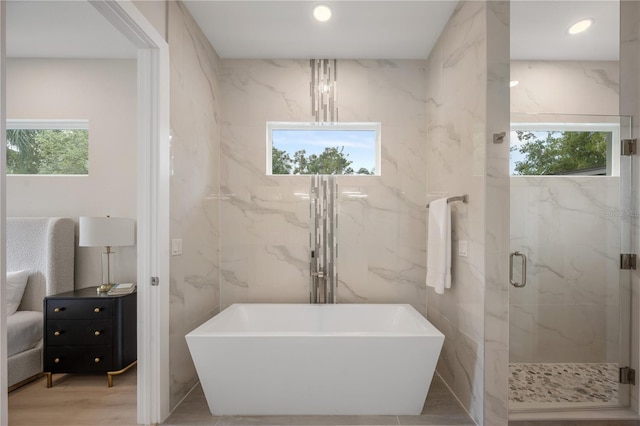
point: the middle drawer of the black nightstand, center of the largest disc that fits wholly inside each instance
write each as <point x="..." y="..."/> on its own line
<point x="79" y="332"/>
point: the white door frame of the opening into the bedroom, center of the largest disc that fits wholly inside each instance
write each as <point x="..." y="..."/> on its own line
<point x="153" y="163"/>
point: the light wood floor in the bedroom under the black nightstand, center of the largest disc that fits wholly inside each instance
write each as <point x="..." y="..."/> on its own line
<point x="75" y="400"/>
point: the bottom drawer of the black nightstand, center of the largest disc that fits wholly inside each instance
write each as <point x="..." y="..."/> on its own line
<point x="68" y="359"/>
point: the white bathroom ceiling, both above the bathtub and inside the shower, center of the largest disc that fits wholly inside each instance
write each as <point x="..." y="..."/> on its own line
<point x="397" y="29"/>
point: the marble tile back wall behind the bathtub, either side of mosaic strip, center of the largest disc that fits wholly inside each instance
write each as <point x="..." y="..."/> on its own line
<point x="265" y="238"/>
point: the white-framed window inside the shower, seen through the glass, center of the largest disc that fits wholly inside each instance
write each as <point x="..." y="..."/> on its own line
<point x="565" y="149"/>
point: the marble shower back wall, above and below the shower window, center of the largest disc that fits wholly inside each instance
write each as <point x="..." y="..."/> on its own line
<point x="569" y="310"/>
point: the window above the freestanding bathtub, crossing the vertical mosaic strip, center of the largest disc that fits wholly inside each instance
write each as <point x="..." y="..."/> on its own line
<point x="323" y="148"/>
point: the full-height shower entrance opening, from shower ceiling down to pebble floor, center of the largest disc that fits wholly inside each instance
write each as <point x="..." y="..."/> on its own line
<point x="570" y="301"/>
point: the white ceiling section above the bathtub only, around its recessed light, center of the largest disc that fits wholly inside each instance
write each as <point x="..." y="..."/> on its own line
<point x="357" y="30"/>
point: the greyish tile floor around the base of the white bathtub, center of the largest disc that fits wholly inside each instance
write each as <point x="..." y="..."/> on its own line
<point x="441" y="408"/>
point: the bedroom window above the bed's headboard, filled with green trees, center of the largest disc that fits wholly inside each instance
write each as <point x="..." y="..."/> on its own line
<point x="47" y="147"/>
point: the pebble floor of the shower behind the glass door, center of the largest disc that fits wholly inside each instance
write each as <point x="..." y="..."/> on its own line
<point x="563" y="383"/>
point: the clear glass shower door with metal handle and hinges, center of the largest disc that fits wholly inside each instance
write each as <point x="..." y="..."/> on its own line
<point x="570" y="219"/>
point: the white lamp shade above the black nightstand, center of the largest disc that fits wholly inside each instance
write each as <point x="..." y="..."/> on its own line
<point x="106" y="231"/>
